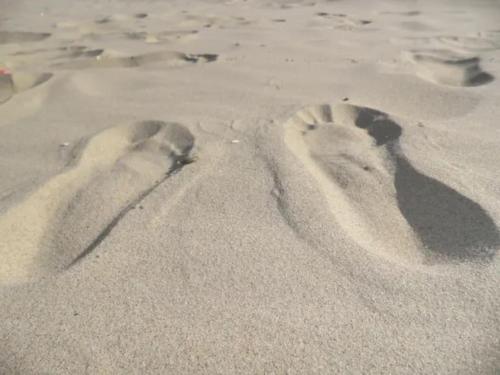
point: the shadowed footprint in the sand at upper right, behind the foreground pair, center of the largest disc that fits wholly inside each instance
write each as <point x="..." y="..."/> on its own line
<point x="447" y="68"/>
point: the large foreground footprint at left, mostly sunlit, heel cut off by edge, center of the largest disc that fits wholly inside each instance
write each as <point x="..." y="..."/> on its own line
<point x="71" y="214"/>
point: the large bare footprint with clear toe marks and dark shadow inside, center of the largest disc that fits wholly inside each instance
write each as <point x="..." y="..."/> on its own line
<point x="378" y="197"/>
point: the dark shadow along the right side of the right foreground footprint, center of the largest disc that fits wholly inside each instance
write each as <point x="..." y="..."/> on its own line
<point x="450" y="225"/>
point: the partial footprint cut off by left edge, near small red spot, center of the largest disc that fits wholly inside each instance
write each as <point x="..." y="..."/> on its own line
<point x="13" y="83"/>
